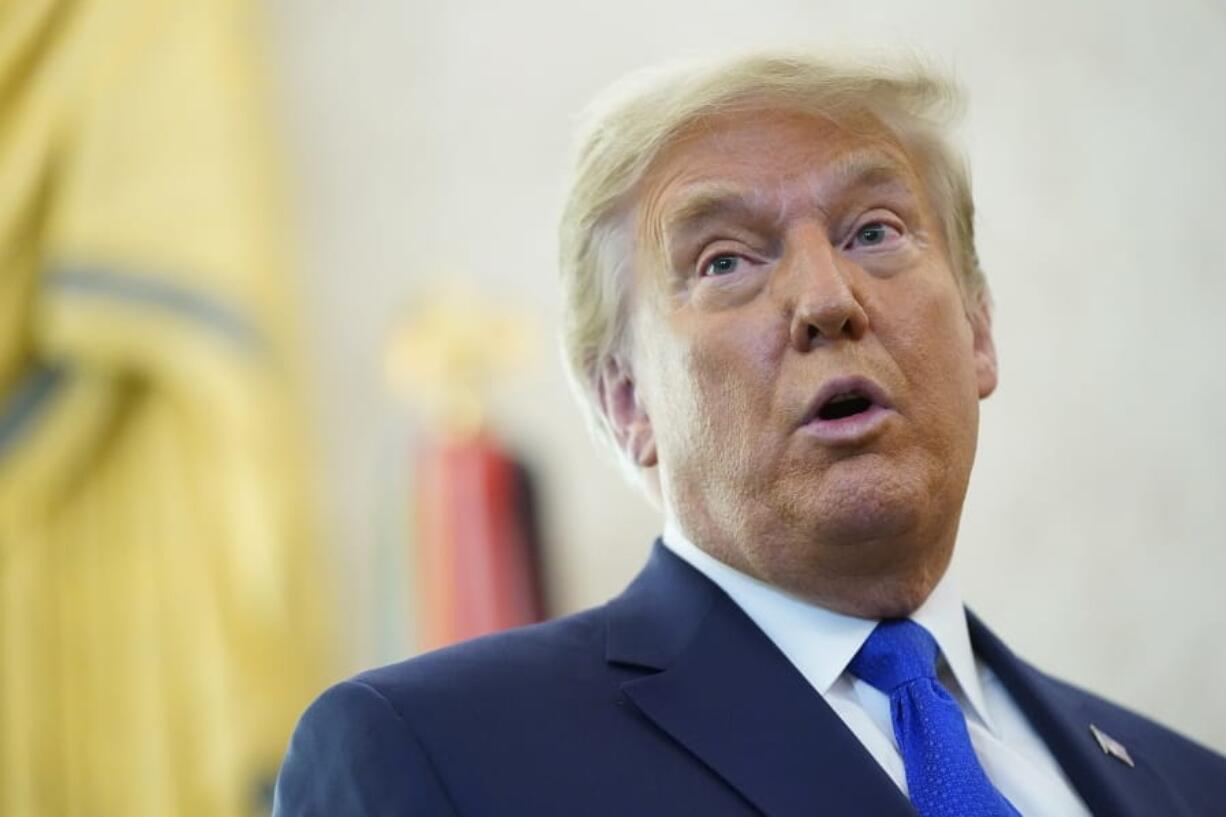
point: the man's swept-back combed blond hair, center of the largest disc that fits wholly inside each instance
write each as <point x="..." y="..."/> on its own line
<point x="626" y="128"/>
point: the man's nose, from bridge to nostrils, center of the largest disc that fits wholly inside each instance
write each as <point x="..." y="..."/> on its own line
<point x="827" y="309"/>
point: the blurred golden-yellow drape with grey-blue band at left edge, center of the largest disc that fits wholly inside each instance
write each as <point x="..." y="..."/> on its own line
<point x="159" y="613"/>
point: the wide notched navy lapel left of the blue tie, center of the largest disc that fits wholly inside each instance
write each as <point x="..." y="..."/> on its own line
<point x="733" y="700"/>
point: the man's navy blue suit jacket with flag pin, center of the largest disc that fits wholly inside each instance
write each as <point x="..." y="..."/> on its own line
<point x="670" y="701"/>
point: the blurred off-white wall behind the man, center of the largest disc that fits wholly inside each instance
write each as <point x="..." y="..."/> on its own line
<point x="430" y="142"/>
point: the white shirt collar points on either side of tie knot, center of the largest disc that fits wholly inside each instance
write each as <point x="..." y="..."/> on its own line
<point x="821" y="643"/>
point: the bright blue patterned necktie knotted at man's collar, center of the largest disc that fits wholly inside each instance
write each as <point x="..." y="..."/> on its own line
<point x="943" y="775"/>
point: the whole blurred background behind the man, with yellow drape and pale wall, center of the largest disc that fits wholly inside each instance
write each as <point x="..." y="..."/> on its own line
<point x="280" y="397"/>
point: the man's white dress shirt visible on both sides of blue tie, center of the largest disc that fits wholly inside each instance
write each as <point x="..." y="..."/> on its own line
<point x="822" y="643"/>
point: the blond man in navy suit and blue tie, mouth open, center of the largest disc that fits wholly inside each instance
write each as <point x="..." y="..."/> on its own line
<point x="777" y="316"/>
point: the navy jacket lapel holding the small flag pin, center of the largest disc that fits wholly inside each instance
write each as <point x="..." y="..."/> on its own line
<point x="1062" y="717"/>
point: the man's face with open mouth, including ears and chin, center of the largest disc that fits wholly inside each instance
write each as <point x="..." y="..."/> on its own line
<point x="804" y="367"/>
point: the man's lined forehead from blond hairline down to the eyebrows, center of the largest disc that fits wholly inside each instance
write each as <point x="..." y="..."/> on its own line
<point x="775" y="160"/>
